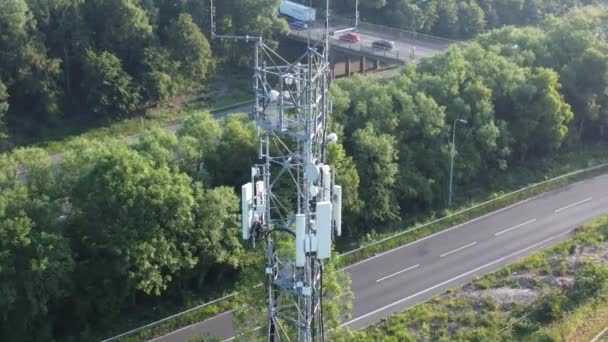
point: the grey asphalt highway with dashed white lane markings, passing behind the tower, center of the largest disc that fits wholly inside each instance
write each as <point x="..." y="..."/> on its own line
<point x="397" y="279"/>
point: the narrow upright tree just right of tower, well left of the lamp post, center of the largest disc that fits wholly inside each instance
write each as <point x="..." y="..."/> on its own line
<point x="376" y="160"/>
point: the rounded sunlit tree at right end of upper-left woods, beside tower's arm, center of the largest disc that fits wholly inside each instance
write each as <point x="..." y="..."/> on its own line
<point x="190" y="48"/>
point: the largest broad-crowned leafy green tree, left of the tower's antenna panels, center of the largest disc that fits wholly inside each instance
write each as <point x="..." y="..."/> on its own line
<point x="131" y="227"/>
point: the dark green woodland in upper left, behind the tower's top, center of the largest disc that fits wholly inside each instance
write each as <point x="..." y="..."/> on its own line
<point x="102" y="60"/>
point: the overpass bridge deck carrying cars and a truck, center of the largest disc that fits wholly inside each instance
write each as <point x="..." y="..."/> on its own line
<point x="409" y="47"/>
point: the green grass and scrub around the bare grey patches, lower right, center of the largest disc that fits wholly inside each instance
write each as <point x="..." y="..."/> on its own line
<point x="559" y="314"/>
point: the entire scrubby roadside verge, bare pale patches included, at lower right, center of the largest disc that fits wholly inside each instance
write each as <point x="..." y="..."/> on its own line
<point x="565" y="283"/>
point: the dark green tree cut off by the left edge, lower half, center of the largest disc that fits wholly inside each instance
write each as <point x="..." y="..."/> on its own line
<point x="35" y="259"/>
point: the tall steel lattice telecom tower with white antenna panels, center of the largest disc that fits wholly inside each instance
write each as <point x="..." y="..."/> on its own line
<point x="291" y="111"/>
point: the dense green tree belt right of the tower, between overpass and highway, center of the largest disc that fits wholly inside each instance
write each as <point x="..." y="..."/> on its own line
<point x="525" y="94"/>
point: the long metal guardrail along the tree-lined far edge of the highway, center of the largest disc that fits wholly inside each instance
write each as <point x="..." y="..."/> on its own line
<point x="376" y="243"/>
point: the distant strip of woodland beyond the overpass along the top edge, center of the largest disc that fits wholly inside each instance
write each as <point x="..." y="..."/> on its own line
<point x="452" y="18"/>
